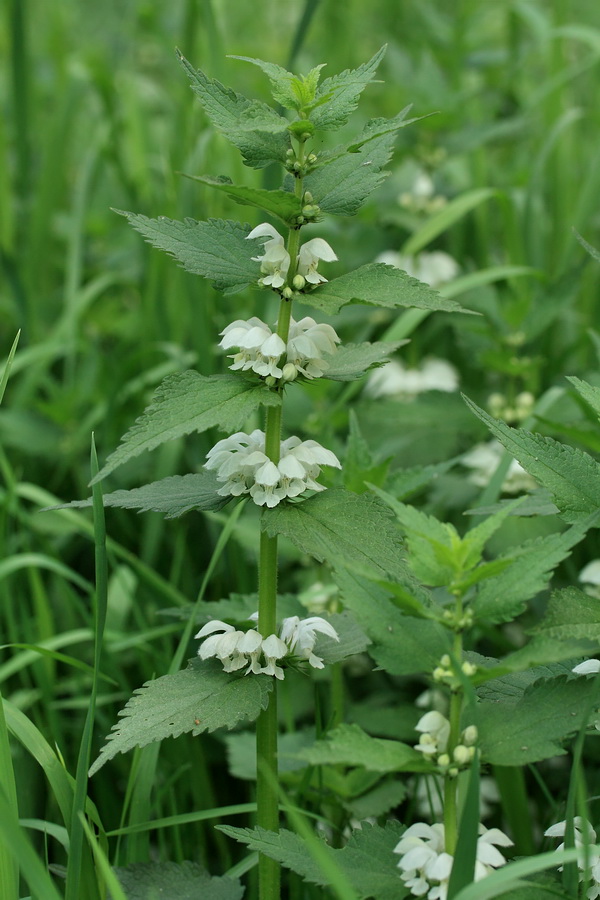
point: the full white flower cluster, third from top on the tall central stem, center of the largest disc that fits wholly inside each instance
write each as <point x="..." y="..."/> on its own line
<point x="241" y="463"/>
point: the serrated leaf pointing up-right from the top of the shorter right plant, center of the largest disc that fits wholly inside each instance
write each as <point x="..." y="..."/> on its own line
<point x="503" y="596"/>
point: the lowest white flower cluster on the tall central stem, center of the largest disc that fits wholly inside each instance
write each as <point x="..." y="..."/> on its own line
<point x="236" y="649"/>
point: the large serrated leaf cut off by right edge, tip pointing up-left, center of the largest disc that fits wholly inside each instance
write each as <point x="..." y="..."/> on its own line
<point x="571" y="476"/>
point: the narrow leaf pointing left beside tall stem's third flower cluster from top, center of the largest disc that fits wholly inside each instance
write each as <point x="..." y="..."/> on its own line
<point x="172" y="496"/>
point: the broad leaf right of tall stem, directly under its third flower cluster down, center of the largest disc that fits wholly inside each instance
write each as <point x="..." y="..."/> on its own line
<point x="341" y="528"/>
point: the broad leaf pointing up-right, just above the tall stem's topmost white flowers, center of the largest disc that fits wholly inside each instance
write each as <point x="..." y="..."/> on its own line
<point x="342" y="186"/>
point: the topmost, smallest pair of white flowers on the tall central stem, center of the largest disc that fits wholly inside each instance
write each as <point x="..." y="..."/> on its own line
<point x="276" y="261"/>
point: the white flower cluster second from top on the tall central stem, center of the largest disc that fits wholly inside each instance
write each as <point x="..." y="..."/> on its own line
<point x="260" y="350"/>
